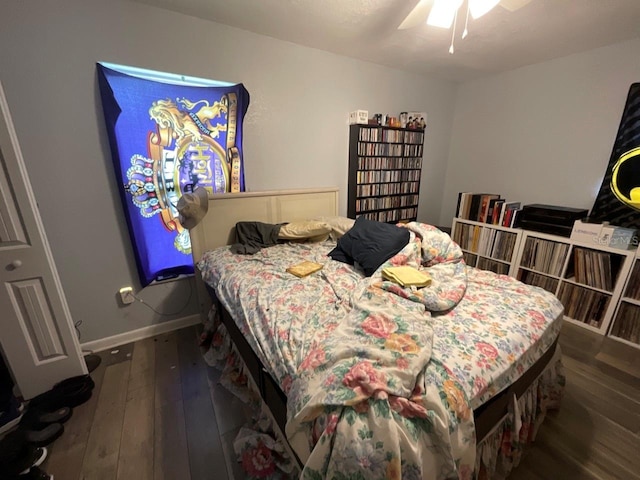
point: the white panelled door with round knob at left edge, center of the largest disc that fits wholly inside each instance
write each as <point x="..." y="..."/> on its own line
<point x="36" y="330"/>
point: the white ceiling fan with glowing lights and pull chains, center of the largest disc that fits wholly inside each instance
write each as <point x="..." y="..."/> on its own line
<point x="444" y="13"/>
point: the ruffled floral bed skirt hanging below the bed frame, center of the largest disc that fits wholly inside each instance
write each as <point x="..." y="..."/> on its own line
<point x="264" y="453"/>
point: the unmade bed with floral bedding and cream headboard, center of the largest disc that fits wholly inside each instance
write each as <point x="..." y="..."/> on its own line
<point x="364" y="381"/>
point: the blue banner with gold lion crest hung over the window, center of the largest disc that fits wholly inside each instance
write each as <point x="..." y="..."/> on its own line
<point x="168" y="136"/>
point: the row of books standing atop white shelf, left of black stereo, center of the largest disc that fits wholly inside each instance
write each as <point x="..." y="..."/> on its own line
<point x="487" y="208"/>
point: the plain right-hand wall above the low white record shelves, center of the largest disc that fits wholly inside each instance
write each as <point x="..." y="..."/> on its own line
<point x="542" y="133"/>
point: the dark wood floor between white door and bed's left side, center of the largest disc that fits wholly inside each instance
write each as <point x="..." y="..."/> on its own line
<point x="152" y="416"/>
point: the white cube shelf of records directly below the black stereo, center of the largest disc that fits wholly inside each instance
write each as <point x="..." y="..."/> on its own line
<point x="587" y="278"/>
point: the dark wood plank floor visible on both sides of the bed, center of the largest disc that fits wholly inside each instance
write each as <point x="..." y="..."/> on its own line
<point x="158" y="413"/>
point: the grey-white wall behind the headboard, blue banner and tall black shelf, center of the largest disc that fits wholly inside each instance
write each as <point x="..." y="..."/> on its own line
<point x="295" y="132"/>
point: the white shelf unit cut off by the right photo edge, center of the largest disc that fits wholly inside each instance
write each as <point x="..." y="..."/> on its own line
<point x="626" y="324"/>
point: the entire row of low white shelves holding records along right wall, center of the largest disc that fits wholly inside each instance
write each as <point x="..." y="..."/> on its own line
<point x="595" y="283"/>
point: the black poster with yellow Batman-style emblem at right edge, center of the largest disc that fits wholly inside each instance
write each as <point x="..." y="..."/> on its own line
<point x="618" y="201"/>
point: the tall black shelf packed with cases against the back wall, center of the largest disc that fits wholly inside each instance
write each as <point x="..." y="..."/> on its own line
<point x="385" y="166"/>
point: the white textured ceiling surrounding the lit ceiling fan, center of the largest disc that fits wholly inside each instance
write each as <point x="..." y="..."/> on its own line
<point x="367" y="29"/>
